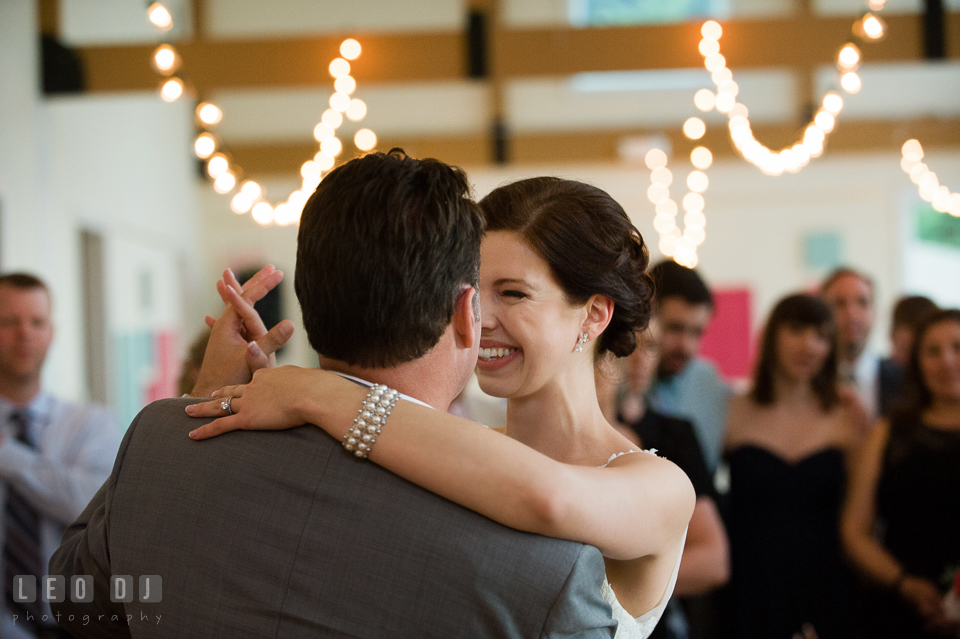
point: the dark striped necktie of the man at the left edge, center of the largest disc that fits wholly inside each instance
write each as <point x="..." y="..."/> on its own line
<point x="21" y="521"/>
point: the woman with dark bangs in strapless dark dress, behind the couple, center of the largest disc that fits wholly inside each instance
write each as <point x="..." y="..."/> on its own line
<point x="788" y="441"/>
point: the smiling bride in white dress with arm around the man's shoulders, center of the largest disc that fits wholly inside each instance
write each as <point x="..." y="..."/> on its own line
<point x="562" y="283"/>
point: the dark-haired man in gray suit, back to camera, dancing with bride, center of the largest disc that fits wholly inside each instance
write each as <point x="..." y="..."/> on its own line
<point x="285" y="534"/>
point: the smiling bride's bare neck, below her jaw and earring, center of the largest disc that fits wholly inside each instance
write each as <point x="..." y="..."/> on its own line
<point x="558" y="418"/>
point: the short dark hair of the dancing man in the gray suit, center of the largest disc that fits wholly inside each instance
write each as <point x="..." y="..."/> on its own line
<point x="386" y="244"/>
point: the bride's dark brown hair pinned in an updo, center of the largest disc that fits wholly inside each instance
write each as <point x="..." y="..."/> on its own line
<point x="589" y="243"/>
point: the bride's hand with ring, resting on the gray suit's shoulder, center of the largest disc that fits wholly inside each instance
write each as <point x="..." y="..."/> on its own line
<point x="271" y="401"/>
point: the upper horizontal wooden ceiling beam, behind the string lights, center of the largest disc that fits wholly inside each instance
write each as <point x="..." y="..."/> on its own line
<point x="800" y="41"/>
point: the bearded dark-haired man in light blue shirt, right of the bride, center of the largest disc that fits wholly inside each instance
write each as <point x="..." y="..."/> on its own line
<point x="687" y="386"/>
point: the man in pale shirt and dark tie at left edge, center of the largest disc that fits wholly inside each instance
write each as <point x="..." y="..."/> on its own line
<point x="53" y="455"/>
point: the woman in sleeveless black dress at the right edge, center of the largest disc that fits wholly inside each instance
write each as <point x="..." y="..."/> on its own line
<point x="901" y="525"/>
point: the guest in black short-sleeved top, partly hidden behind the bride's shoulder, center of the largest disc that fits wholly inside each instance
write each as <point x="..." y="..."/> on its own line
<point x="706" y="554"/>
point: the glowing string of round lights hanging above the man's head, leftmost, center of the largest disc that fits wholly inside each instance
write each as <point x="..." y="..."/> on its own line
<point x="248" y="195"/>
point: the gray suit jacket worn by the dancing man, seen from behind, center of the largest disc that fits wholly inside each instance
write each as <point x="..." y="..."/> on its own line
<point x="285" y="534"/>
